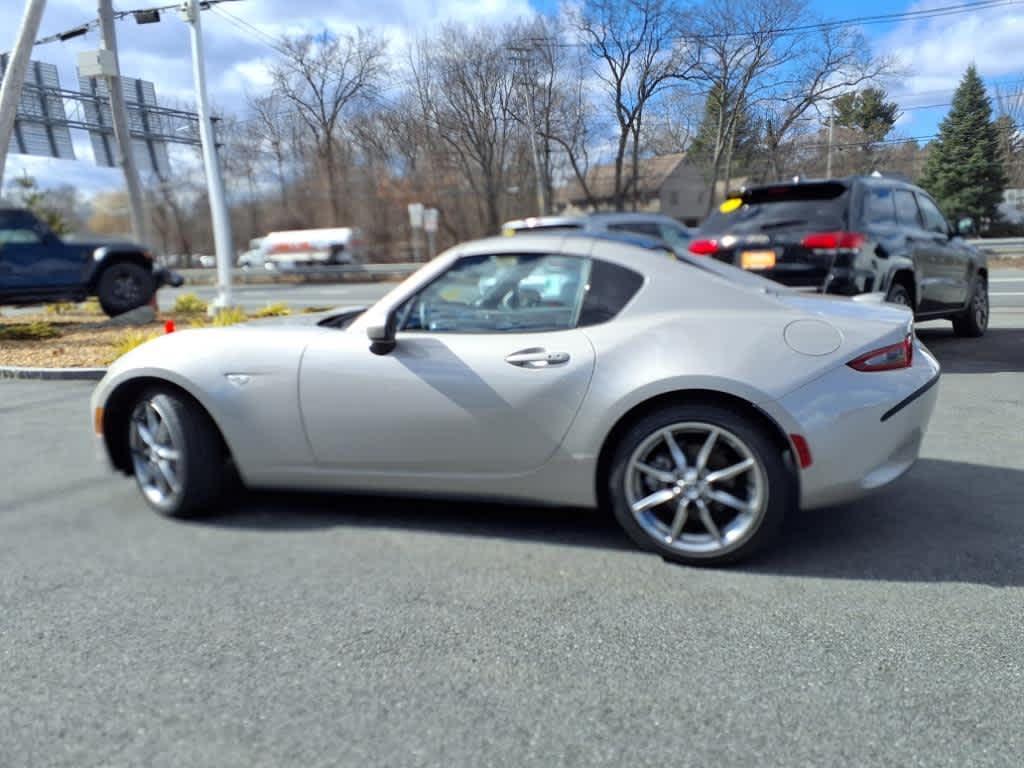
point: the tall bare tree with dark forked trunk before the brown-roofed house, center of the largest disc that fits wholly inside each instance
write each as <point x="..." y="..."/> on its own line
<point x="637" y="53"/>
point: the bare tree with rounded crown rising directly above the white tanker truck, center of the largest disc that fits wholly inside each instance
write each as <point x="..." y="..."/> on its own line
<point x="323" y="76"/>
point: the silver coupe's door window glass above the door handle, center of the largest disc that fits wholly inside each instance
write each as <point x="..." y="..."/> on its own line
<point x="511" y="293"/>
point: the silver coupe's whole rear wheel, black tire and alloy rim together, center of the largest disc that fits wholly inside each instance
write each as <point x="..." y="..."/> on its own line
<point x="700" y="485"/>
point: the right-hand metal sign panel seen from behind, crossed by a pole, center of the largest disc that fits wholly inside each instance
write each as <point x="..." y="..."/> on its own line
<point x="150" y="126"/>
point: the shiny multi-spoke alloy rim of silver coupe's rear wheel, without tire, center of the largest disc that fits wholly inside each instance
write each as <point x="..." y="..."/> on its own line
<point x="697" y="488"/>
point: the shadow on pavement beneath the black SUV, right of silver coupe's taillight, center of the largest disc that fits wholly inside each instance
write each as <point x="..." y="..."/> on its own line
<point x="1001" y="350"/>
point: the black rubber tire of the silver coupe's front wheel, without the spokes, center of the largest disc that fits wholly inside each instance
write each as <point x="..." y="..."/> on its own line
<point x="203" y="472"/>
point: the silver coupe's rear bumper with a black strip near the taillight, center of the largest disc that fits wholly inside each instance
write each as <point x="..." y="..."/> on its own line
<point x="865" y="430"/>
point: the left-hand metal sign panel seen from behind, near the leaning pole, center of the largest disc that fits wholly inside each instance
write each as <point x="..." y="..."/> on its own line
<point x="41" y="122"/>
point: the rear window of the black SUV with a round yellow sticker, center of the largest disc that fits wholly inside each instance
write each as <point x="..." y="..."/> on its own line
<point x="812" y="206"/>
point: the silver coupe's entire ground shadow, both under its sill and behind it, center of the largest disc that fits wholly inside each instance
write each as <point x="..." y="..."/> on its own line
<point x="946" y="522"/>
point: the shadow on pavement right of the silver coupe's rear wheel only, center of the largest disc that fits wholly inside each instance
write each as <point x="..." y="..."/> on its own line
<point x="945" y="522"/>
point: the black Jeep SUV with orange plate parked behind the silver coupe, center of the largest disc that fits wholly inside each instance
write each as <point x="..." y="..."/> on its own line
<point x="855" y="236"/>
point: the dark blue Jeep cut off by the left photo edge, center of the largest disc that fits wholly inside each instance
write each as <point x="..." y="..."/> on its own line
<point x="36" y="266"/>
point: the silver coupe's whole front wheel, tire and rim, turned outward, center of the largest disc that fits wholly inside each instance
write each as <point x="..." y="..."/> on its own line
<point x="177" y="454"/>
